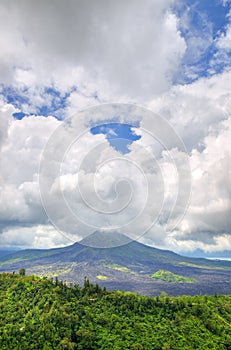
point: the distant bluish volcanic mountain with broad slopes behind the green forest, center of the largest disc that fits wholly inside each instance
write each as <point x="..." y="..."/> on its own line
<point x="127" y="266"/>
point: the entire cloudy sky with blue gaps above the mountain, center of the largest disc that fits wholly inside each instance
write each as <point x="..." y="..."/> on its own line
<point x="116" y="115"/>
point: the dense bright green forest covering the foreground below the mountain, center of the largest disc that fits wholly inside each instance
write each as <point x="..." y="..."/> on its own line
<point x="37" y="313"/>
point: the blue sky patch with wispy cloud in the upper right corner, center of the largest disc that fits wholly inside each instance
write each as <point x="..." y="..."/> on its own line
<point x="206" y="20"/>
